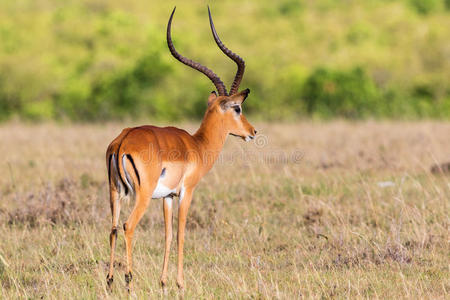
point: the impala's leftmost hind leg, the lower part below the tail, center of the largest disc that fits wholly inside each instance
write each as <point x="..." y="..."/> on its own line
<point x="115" y="212"/>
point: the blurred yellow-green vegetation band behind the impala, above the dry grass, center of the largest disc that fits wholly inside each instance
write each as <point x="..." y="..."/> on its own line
<point x="95" y="60"/>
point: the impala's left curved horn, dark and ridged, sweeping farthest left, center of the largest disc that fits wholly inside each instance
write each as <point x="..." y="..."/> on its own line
<point x="195" y="65"/>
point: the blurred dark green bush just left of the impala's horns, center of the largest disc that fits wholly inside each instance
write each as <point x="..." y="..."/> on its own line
<point x="121" y="94"/>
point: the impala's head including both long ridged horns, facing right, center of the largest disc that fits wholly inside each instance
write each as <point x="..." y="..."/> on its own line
<point x="224" y="107"/>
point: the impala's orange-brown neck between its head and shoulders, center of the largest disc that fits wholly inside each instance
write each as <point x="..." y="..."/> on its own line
<point x="211" y="137"/>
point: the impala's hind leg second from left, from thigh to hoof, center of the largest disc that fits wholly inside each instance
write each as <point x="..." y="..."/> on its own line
<point x="141" y="203"/>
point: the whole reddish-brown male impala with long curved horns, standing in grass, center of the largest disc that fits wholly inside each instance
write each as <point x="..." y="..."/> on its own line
<point x="149" y="162"/>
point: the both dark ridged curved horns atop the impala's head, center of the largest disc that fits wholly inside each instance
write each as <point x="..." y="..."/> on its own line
<point x="220" y="86"/>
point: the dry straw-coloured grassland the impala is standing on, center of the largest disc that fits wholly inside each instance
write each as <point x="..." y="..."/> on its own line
<point x="313" y="210"/>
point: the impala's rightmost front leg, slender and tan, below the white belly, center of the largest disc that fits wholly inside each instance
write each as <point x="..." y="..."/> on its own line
<point x="185" y="202"/>
